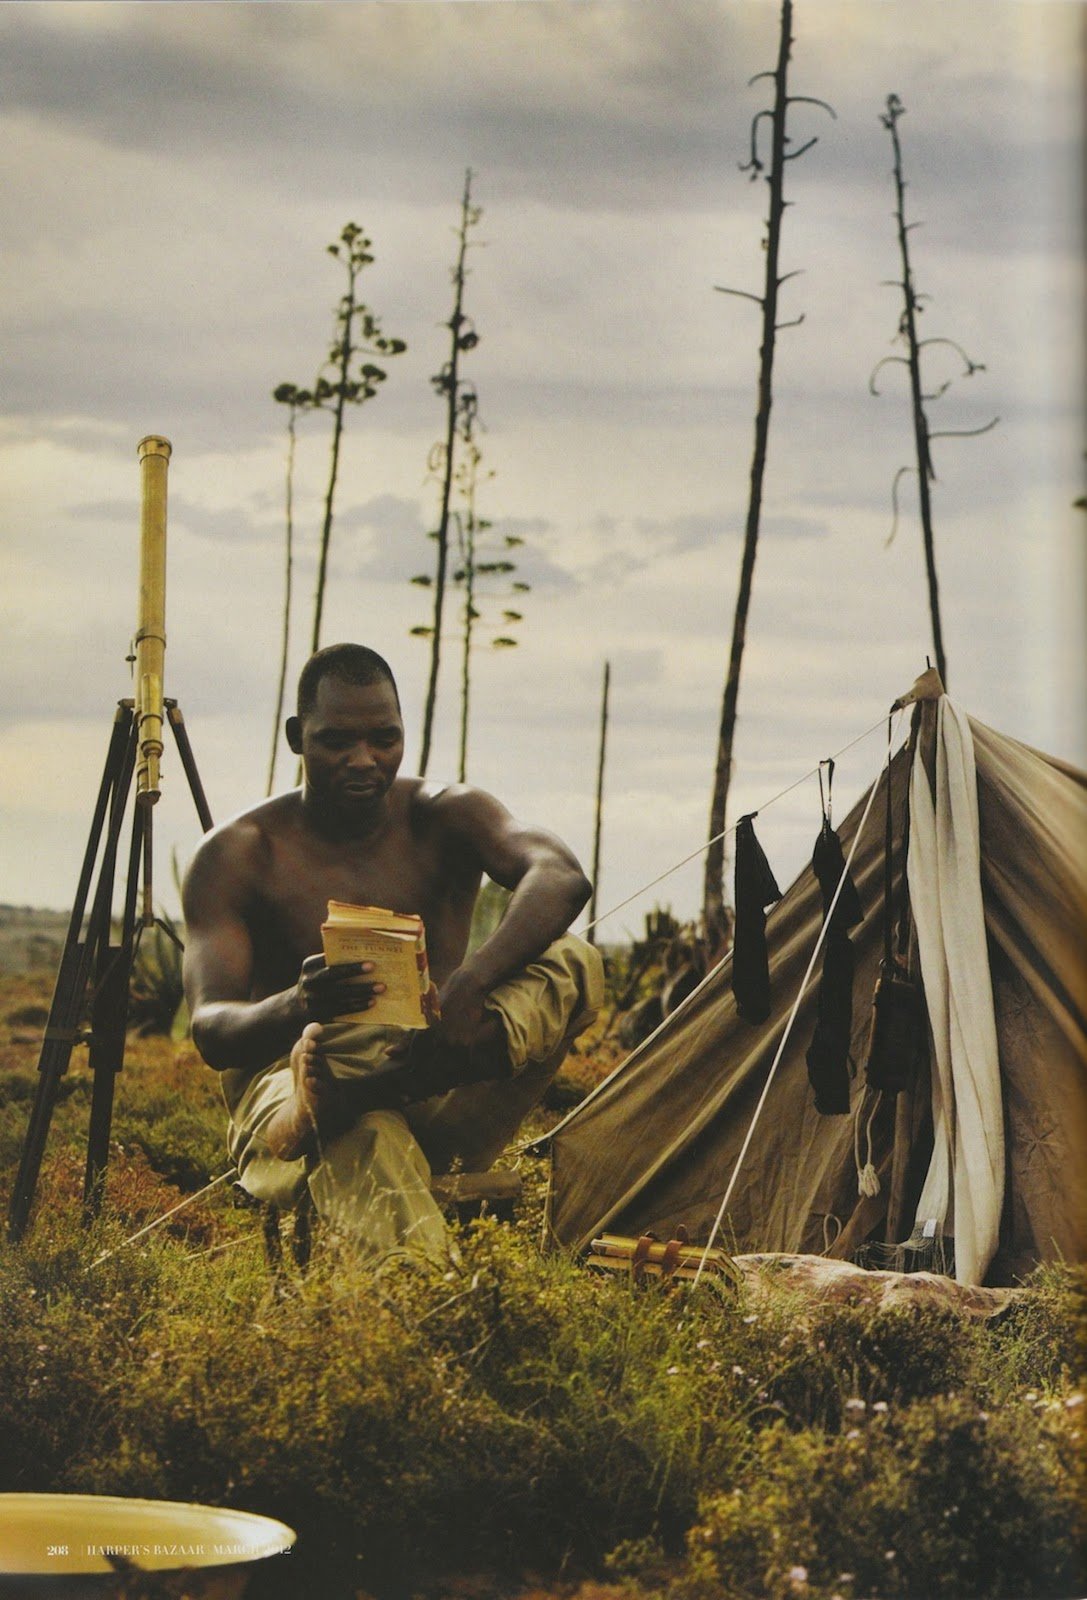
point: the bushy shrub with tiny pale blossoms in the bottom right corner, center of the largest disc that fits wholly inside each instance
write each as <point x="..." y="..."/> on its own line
<point x="934" y="1500"/>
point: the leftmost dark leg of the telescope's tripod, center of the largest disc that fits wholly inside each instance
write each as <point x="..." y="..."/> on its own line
<point x="76" y="962"/>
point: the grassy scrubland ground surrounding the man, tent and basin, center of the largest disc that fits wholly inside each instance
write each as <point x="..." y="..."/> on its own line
<point x="511" y="1426"/>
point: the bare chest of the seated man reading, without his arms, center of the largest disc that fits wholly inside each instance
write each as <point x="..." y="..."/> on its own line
<point x="412" y="863"/>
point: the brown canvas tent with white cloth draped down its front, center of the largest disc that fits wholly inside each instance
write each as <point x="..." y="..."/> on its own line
<point x="657" y="1145"/>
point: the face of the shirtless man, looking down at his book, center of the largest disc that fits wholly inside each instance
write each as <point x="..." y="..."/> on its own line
<point x="351" y="745"/>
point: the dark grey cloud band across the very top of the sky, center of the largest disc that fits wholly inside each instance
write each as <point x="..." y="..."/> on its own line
<point x="606" y="106"/>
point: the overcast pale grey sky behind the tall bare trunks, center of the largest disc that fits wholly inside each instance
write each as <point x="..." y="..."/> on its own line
<point x="172" y="177"/>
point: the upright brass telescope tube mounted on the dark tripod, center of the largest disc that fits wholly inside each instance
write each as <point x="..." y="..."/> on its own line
<point x="151" y="628"/>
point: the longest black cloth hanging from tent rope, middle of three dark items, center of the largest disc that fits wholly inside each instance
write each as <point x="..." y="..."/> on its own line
<point x="828" y="1052"/>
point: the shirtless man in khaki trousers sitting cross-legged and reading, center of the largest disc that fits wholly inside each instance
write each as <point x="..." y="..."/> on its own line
<point x="263" y="1001"/>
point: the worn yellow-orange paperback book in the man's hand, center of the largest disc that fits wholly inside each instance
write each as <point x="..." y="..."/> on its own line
<point x="396" y="945"/>
